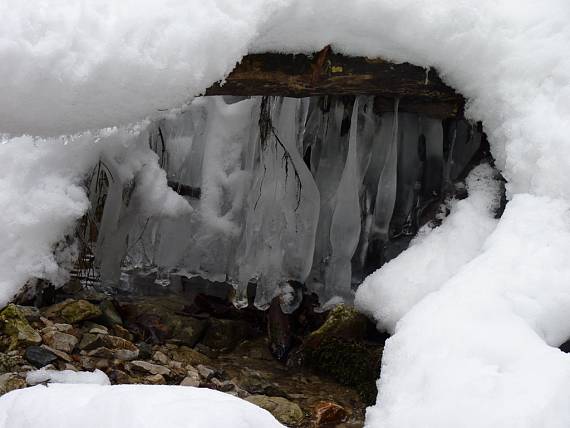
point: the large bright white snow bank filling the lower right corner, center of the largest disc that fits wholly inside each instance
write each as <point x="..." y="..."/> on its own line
<point x="478" y="353"/>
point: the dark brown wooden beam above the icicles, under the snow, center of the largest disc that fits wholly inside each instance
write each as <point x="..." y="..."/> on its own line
<point x="329" y="73"/>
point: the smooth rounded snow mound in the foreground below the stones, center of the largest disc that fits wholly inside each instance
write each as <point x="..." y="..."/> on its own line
<point x="128" y="406"/>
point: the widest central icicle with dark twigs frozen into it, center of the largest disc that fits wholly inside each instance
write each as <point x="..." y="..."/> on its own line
<point x="282" y="209"/>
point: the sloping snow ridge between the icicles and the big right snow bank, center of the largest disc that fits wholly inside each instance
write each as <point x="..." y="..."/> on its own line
<point x="434" y="255"/>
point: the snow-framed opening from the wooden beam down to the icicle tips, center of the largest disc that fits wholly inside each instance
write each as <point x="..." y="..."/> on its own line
<point x="305" y="173"/>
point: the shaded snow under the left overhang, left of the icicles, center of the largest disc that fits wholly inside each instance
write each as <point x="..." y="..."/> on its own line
<point x="42" y="196"/>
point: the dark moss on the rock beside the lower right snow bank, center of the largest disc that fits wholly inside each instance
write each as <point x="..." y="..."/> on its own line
<point x="349" y="363"/>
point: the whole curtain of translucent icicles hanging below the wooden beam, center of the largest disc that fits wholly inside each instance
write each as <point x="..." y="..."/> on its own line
<point x="288" y="195"/>
